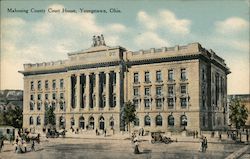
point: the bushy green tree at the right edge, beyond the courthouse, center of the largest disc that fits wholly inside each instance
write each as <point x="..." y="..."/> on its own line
<point x="238" y="113"/>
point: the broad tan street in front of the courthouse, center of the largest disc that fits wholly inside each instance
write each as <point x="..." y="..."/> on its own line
<point x="59" y="148"/>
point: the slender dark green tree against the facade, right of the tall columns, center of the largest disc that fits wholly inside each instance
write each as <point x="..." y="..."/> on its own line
<point x="129" y="114"/>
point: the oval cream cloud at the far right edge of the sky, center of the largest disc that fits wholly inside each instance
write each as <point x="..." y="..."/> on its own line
<point x="232" y="25"/>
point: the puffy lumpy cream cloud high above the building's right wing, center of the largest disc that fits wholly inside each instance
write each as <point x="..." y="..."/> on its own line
<point x="165" y="19"/>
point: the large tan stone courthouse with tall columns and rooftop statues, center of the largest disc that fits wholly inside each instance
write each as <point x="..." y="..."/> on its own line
<point x="172" y="88"/>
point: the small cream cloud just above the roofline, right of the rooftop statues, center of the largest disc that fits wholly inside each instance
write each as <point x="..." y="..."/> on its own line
<point x="150" y="39"/>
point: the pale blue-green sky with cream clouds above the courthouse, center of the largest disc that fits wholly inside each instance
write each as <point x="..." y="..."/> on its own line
<point x="36" y="37"/>
